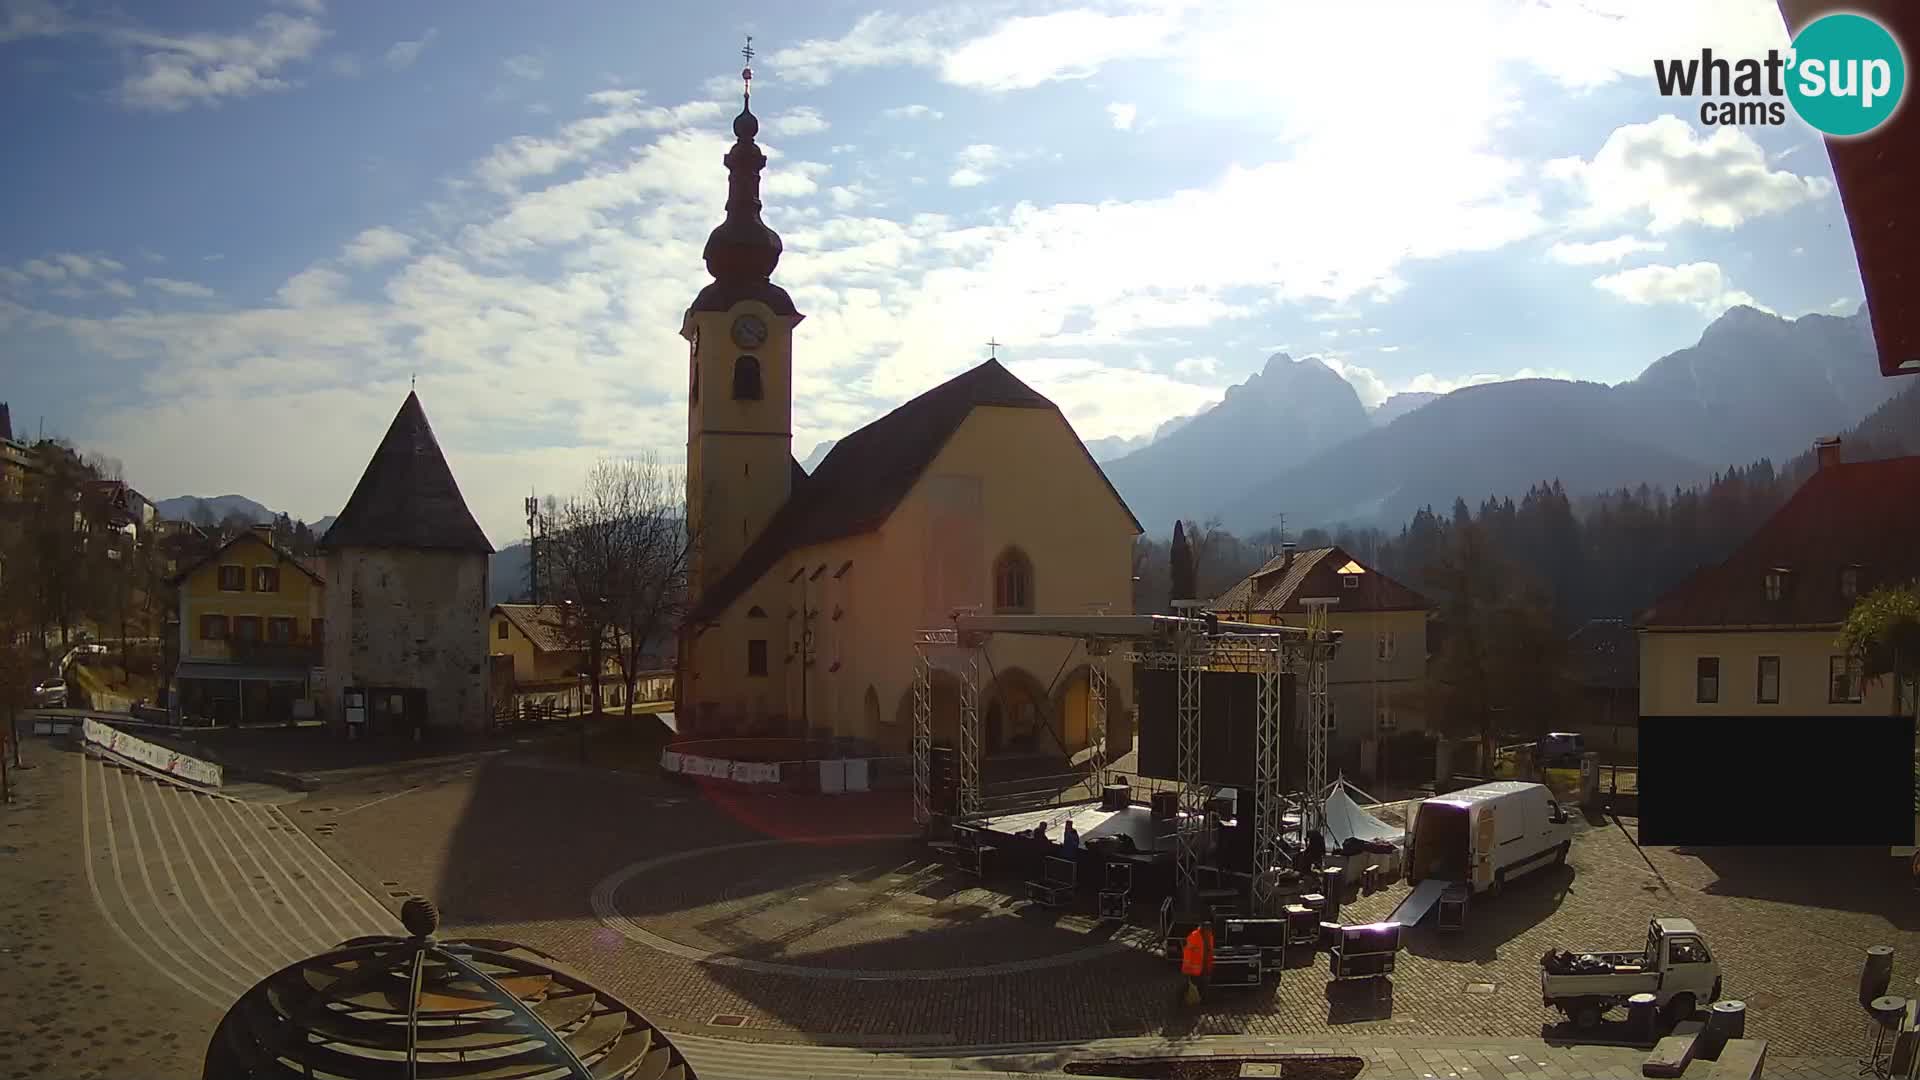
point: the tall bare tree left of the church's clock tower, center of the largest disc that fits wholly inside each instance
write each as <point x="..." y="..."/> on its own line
<point x="617" y="564"/>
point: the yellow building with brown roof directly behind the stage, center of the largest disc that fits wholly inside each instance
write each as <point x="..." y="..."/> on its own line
<point x="1378" y="679"/>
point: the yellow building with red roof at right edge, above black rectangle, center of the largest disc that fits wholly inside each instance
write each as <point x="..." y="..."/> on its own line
<point x="1758" y="637"/>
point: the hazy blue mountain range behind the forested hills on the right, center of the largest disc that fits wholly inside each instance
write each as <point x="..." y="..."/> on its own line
<point x="1297" y="441"/>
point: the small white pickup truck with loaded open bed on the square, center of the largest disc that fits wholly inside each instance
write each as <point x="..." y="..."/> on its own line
<point x="1675" y="968"/>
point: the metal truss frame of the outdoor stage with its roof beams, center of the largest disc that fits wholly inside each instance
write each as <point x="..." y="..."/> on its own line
<point x="1189" y="647"/>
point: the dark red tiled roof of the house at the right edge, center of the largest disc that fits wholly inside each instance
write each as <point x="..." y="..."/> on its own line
<point x="1863" y="516"/>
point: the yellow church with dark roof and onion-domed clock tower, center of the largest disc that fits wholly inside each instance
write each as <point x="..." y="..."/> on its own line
<point x="805" y="591"/>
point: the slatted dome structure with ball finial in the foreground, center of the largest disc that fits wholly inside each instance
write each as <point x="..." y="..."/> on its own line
<point x="416" y="1008"/>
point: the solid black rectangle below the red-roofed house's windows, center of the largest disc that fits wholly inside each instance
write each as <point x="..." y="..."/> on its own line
<point x="1777" y="781"/>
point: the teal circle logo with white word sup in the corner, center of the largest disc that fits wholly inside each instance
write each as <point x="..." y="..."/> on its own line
<point x="1848" y="74"/>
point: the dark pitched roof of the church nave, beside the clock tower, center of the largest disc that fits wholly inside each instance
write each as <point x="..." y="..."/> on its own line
<point x="867" y="476"/>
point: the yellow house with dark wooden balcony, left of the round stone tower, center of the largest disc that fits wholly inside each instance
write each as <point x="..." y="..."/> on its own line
<point x="252" y="622"/>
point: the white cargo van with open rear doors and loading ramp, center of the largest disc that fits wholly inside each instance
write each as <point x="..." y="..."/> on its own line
<point x="1489" y="835"/>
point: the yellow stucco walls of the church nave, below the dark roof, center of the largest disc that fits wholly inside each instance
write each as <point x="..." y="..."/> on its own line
<point x="1007" y="479"/>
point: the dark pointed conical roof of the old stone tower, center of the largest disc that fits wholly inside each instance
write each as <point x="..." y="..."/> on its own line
<point x="408" y="497"/>
